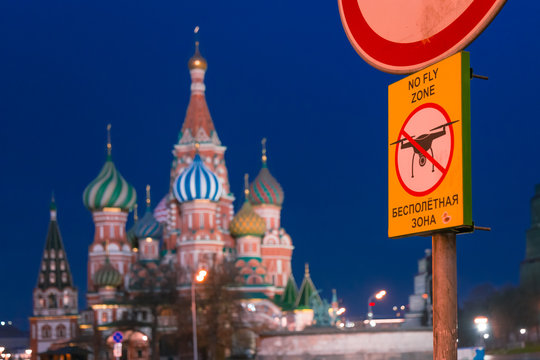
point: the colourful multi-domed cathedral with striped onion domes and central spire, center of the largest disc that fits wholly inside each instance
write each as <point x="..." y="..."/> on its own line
<point x="192" y="227"/>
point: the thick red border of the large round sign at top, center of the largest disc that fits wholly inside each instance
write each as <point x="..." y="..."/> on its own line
<point x="402" y="58"/>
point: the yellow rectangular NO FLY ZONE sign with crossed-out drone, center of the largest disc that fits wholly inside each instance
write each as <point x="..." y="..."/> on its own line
<point x="429" y="168"/>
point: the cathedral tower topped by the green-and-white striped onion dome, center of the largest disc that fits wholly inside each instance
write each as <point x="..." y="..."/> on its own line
<point x="109" y="197"/>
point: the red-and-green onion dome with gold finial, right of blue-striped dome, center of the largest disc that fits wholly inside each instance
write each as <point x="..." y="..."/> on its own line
<point x="265" y="189"/>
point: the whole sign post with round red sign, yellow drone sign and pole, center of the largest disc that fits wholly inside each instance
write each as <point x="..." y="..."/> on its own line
<point x="429" y="178"/>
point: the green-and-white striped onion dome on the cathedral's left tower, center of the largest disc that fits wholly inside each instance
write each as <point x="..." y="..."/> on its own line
<point x="109" y="189"/>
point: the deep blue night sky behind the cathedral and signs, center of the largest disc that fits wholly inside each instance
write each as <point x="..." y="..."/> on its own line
<point x="277" y="69"/>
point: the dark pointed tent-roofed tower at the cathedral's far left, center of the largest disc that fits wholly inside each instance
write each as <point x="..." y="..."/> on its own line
<point x="55" y="297"/>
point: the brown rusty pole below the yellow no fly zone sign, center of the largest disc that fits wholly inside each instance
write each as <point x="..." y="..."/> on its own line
<point x="444" y="297"/>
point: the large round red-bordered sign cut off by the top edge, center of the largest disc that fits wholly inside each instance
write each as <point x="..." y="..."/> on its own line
<point x="404" y="36"/>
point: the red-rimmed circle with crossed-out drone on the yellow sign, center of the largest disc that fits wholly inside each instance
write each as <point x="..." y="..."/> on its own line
<point x="424" y="149"/>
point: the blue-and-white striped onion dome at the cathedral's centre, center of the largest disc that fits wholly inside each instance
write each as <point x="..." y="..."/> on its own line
<point x="197" y="182"/>
